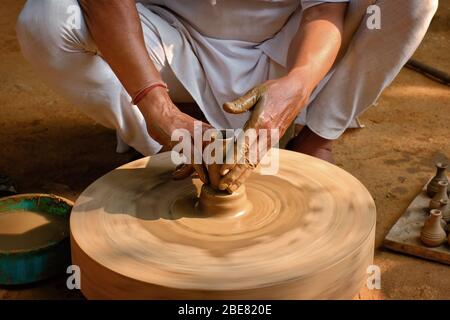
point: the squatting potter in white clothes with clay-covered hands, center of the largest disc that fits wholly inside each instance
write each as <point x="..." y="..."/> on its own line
<point x="245" y="64"/>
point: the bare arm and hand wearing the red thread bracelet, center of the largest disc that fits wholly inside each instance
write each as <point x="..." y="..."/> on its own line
<point x="116" y="28"/>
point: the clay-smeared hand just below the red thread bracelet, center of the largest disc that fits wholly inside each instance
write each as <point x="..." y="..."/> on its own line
<point x="163" y="118"/>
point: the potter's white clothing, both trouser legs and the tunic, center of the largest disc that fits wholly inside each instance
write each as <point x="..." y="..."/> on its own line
<point x="211" y="52"/>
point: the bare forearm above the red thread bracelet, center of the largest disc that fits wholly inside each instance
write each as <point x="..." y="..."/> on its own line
<point x="115" y="26"/>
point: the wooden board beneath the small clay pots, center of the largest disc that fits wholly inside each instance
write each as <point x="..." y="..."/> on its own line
<point x="404" y="236"/>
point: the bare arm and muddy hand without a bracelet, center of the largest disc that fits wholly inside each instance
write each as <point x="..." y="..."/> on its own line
<point x="276" y="103"/>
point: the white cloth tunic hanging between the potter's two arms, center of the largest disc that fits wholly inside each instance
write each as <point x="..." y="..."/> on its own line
<point x="221" y="49"/>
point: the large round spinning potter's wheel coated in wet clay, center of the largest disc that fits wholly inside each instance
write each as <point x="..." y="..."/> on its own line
<point x="309" y="233"/>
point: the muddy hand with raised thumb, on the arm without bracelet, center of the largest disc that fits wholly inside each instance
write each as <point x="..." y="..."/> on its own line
<point x="275" y="104"/>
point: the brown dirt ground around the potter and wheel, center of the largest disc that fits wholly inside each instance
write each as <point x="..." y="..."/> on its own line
<point x="48" y="146"/>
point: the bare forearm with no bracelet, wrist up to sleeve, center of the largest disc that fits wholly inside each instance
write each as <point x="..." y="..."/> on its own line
<point x="316" y="45"/>
